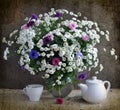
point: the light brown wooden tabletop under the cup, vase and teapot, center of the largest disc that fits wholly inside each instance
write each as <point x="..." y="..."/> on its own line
<point x="16" y="100"/>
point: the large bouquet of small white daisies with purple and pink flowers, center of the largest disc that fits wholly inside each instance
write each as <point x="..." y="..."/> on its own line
<point x="59" y="43"/>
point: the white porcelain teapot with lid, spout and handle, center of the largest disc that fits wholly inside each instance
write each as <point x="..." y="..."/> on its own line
<point x="94" y="90"/>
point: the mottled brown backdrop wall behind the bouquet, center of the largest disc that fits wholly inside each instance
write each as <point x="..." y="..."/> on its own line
<point x="13" y="12"/>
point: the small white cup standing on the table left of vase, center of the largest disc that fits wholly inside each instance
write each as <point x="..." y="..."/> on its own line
<point x="33" y="91"/>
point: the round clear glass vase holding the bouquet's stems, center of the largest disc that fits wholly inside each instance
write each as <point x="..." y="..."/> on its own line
<point x="64" y="92"/>
